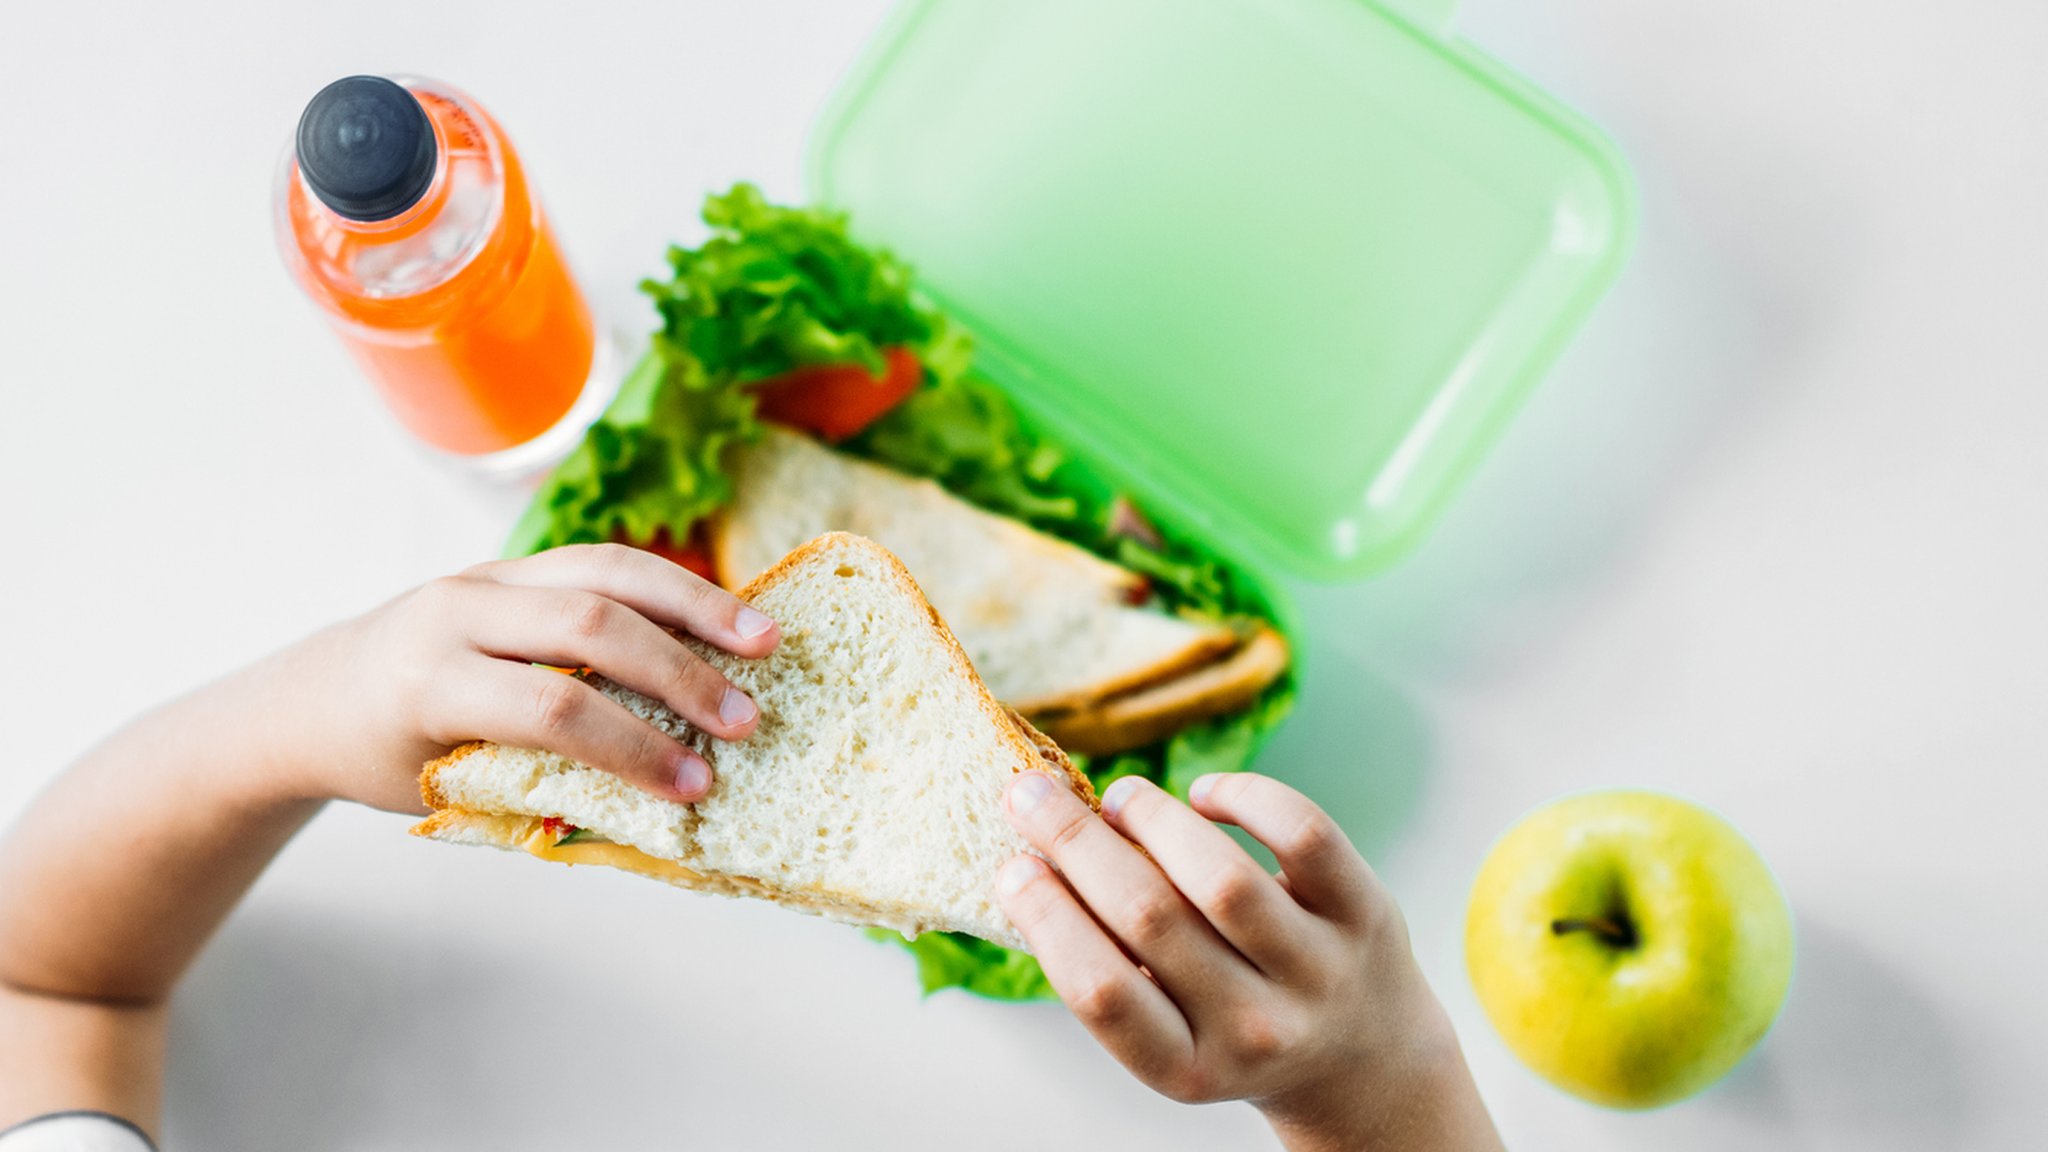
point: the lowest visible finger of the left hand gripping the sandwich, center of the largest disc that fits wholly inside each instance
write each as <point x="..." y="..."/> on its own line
<point x="534" y="708"/>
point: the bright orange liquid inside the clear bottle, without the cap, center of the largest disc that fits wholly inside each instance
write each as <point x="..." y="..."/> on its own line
<point x="486" y="360"/>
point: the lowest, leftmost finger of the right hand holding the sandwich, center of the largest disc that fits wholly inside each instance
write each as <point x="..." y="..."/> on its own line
<point x="1125" y="1012"/>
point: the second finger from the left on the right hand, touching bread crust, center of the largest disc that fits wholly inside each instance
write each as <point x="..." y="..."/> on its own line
<point x="1127" y="895"/>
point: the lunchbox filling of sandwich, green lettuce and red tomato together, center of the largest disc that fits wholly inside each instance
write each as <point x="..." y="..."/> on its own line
<point x="798" y="384"/>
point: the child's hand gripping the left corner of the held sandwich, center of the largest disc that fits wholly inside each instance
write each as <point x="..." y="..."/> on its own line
<point x="456" y="661"/>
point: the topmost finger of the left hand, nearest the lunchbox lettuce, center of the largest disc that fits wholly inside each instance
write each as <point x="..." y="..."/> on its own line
<point x="658" y="589"/>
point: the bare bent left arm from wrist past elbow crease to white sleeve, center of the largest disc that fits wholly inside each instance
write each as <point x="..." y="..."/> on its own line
<point x="118" y="876"/>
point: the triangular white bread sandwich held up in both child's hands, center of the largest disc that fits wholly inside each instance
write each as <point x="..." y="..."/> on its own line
<point x="871" y="790"/>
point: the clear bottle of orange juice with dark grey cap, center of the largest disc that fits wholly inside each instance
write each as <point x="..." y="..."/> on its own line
<point x="407" y="216"/>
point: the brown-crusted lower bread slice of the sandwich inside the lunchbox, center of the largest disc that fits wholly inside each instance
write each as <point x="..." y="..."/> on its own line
<point x="1152" y="714"/>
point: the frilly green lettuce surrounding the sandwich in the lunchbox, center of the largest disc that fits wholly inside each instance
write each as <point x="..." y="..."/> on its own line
<point x="779" y="288"/>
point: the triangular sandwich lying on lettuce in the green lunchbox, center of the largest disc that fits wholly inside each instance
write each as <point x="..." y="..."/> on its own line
<point x="1060" y="634"/>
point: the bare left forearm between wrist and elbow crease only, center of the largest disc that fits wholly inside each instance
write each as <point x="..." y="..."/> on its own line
<point x="124" y="868"/>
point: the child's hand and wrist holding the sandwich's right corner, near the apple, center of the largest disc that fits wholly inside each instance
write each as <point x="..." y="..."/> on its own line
<point x="1213" y="981"/>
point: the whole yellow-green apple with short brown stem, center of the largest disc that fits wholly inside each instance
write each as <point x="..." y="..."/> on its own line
<point x="1629" y="946"/>
